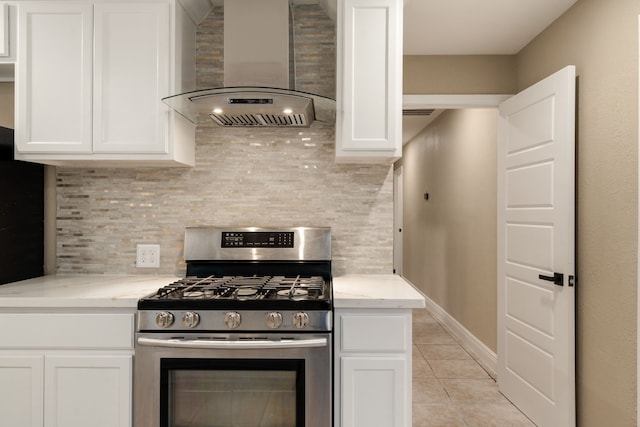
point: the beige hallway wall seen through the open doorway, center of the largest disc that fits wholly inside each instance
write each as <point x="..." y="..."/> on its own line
<point x="450" y="240"/>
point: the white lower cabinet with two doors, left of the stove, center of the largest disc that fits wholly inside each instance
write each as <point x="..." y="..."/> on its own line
<point x="73" y="370"/>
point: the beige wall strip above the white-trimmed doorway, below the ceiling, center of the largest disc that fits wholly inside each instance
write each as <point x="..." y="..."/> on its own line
<point x="464" y="74"/>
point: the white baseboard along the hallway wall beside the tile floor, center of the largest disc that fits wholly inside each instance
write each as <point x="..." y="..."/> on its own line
<point x="480" y="352"/>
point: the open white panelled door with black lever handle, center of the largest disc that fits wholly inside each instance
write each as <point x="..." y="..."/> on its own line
<point x="536" y="245"/>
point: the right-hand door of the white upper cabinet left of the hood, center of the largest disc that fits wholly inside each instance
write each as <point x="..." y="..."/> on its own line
<point x="131" y="76"/>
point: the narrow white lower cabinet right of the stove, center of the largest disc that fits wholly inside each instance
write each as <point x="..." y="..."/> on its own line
<point x="373" y="367"/>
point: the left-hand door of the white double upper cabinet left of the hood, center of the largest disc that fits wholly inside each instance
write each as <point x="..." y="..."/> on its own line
<point x="53" y="77"/>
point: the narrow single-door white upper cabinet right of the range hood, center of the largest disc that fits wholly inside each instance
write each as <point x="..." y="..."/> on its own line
<point x="369" y="95"/>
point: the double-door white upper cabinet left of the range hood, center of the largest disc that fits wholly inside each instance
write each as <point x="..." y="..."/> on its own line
<point x="89" y="82"/>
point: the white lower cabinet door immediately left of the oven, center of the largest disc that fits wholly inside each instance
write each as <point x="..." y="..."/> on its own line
<point x="83" y="391"/>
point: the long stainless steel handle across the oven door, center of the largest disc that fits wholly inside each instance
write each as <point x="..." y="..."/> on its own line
<point x="221" y="344"/>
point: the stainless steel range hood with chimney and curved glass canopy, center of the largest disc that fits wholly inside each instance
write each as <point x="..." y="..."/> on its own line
<point x="259" y="73"/>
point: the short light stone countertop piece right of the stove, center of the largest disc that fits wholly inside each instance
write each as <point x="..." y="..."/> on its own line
<point x="375" y="291"/>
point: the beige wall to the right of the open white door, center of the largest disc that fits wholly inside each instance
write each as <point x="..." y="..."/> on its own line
<point x="601" y="38"/>
